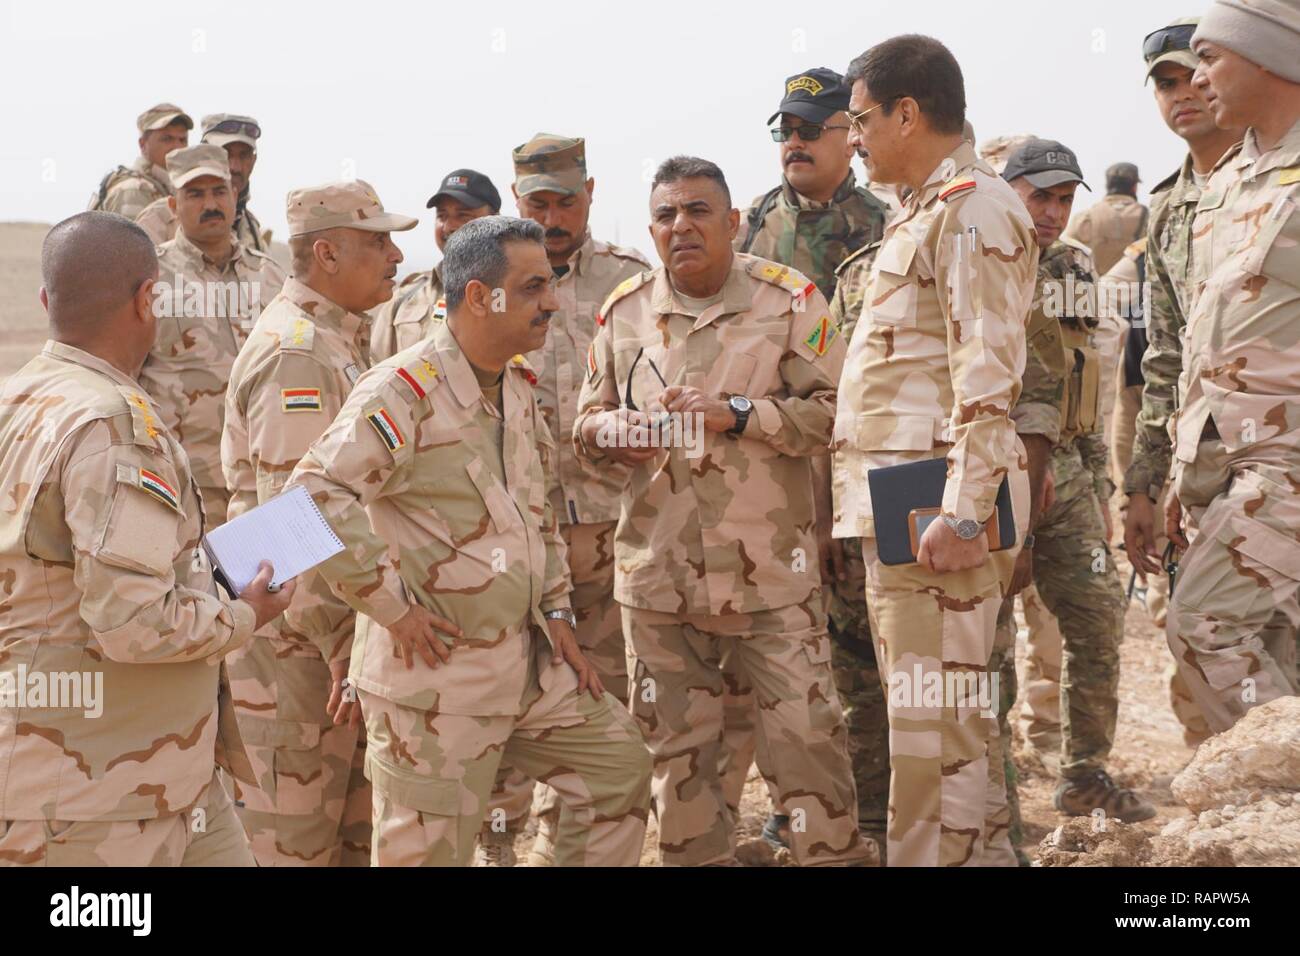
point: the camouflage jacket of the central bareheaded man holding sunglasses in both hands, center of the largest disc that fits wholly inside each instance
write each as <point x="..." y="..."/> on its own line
<point x="731" y="531"/>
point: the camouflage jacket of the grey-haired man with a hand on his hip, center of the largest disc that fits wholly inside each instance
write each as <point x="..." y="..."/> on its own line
<point x="441" y="501"/>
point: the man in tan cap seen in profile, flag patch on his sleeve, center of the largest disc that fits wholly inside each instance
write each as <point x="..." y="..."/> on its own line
<point x="313" y="803"/>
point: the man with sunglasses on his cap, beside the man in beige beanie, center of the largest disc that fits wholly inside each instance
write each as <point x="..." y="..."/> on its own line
<point x="1185" y="110"/>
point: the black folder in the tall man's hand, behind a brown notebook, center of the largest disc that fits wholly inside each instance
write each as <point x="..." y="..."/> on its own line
<point x="900" y="490"/>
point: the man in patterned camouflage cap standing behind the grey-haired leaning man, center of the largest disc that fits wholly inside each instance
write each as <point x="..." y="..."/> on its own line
<point x="553" y="188"/>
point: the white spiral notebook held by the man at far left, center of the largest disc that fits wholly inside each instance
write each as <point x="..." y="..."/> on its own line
<point x="289" y="531"/>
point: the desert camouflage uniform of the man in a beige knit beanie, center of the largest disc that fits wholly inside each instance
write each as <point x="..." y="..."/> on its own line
<point x="1236" y="435"/>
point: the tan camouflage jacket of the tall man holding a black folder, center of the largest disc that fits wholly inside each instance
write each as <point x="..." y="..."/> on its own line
<point x="937" y="360"/>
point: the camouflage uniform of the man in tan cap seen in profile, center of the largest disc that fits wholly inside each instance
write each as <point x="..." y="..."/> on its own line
<point x="311" y="804"/>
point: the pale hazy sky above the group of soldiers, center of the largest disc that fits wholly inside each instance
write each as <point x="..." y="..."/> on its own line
<point x="402" y="93"/>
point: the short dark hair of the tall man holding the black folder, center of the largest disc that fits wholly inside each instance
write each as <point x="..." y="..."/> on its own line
<point x="918" y="67"/>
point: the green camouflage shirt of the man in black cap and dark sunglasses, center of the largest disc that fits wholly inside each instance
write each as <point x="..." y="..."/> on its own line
<point x="809" y="236"/>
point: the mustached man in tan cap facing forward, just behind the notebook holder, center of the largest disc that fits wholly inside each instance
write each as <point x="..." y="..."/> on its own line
<point x="213" y="289"/>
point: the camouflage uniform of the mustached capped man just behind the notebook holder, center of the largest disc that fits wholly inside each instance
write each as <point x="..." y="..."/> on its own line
<point x="189" y="367"/>
